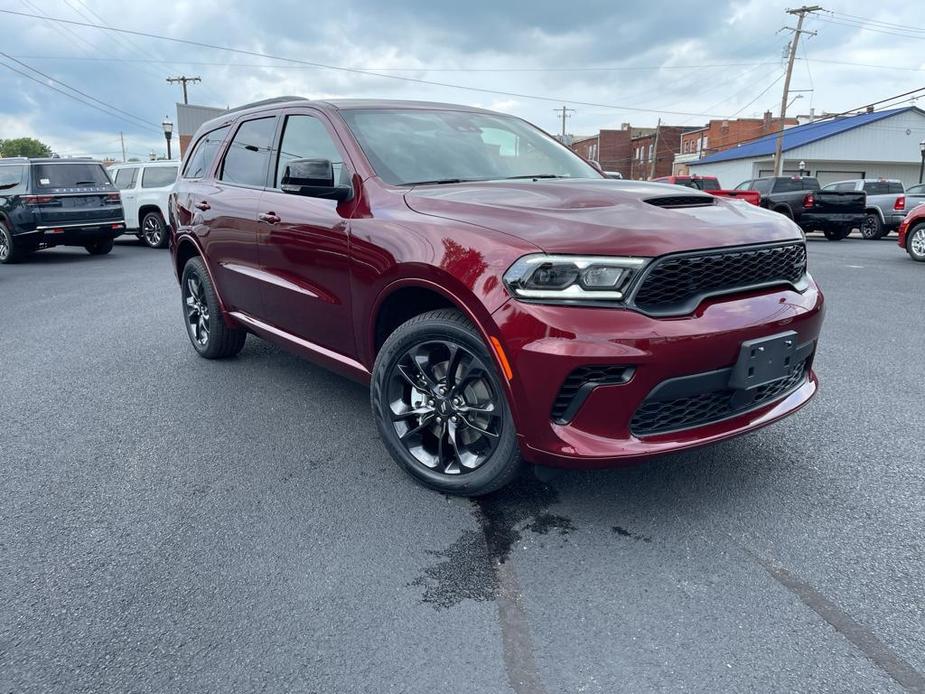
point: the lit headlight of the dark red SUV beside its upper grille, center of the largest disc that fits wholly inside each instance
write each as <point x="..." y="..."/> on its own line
<point x="571" y="277"/>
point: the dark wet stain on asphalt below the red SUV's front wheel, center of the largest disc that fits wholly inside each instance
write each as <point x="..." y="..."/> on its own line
<point x="469" y="568"/>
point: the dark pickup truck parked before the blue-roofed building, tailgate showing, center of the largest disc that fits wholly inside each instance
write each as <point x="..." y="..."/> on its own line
<point x="833" y="213"/>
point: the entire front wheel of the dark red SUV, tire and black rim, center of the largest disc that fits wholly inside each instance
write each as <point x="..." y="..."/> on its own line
<point x="453" y="429"/>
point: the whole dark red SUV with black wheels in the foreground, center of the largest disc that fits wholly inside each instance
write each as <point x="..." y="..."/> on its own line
<point x="504" y="300"/>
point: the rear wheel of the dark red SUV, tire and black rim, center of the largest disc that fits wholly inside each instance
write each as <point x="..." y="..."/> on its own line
<point x="205" y="327"/>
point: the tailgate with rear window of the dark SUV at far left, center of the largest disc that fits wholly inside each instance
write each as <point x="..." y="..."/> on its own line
<point x="72" y="195"/>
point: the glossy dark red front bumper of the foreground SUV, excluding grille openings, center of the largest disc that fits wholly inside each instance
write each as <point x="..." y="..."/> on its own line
<point x="545" y="344"/>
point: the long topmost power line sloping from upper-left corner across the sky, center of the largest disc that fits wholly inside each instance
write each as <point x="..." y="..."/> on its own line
<point x="448" y="85"/>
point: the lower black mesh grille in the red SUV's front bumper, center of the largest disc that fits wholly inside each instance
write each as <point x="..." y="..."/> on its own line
<point x="657" y="416"/>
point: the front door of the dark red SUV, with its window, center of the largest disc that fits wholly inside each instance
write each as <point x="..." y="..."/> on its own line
<point x="305" y="243"/>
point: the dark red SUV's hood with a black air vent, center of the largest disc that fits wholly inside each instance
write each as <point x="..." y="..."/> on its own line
<point x="592" y="216"/>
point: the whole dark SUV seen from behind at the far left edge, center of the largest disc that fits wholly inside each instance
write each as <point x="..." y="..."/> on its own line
<point x="57" y="202"/>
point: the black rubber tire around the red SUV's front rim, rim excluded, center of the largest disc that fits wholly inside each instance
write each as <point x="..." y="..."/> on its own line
<point x="484" y="478"/>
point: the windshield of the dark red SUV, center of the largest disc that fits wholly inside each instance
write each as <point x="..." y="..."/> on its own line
<point x="416" y="146"/>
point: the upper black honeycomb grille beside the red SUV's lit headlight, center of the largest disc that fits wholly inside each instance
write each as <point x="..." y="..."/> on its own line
<point x="676" y="284"/>
